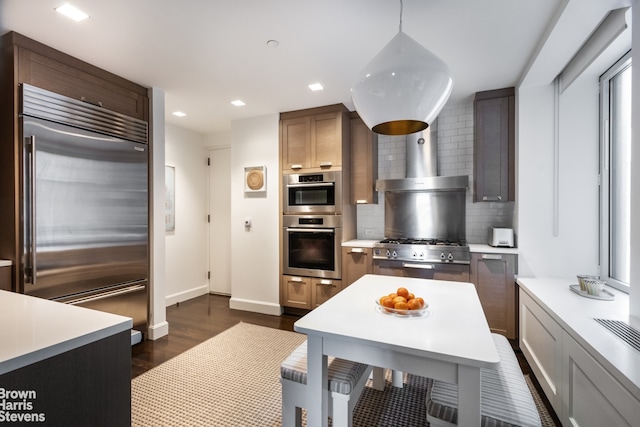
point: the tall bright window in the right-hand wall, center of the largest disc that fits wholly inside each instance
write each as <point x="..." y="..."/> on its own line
<point x="615" y="173"/>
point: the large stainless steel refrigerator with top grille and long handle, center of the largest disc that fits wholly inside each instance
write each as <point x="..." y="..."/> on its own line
<point x="84" y="213"/>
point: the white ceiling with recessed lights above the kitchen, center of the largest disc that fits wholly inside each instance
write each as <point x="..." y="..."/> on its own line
<point x="205" y="53"/>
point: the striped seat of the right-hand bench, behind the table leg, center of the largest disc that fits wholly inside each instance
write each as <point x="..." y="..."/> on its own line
<point x="505" y="398"/>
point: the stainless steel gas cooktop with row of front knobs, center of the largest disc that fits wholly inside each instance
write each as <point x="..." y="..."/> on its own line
<point x="422" y="250"/>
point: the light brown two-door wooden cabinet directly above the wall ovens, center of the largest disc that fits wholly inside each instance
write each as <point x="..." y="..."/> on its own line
<point x="316" y="139"/>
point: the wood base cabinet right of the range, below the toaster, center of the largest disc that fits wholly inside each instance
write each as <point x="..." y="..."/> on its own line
<point x="493" y="274"/>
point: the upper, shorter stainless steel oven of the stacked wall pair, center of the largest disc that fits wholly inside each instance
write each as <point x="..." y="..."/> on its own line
<point x="319" y="193"/>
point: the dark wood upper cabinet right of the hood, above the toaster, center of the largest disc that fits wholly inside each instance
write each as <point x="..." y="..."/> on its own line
<point x="494" y="146"/>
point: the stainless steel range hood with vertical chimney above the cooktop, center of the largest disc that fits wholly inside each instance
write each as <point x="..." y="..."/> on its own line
<point x="422" y="168"/>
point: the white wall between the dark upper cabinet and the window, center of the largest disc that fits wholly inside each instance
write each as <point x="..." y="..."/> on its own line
<point x="570" y="246"/>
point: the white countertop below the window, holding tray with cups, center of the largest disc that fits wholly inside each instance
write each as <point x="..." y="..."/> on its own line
<point x="576" y="313"/>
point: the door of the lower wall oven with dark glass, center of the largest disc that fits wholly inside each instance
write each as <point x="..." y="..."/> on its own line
<point x="312" y="252"/>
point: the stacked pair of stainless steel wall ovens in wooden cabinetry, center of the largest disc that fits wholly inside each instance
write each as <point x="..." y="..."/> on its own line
<point x="312" y="224"/>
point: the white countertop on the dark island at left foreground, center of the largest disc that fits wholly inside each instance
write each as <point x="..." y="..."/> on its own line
<point x="34" y="329"/>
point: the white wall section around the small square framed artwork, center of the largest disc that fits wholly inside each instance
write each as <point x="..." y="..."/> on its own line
<point x="255" y="253"/>
